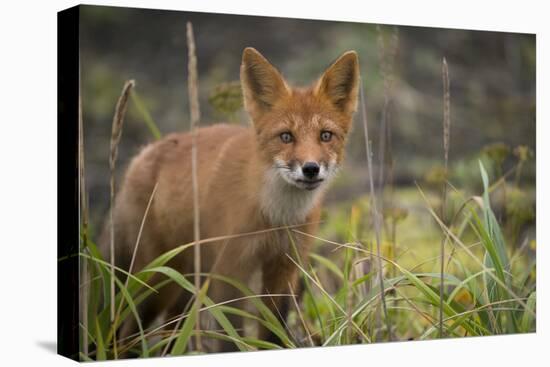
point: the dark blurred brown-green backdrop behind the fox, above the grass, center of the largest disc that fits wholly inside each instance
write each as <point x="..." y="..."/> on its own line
<point x="492" y="100"/>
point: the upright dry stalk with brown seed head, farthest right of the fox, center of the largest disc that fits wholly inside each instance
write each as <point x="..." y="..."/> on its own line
<point x="446" y="143"/>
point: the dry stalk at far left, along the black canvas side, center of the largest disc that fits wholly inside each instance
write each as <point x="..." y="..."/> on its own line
<point x="84" y="220"/>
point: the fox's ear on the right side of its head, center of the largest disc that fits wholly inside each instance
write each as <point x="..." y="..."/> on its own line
<point x="340" y="83"/>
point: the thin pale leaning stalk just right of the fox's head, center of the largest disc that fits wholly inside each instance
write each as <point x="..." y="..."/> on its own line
<point x="375" y="213"/>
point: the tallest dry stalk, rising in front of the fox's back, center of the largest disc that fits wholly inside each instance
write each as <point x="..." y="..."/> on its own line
<point x="193" y="88"/>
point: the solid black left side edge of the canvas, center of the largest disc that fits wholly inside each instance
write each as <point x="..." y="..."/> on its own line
<point x="67" y="184"/>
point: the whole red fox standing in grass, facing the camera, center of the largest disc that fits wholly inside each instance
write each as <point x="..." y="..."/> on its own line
<point x="272" y="174"/>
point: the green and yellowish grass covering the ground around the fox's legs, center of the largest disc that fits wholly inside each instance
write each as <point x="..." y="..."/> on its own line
<point x="490" y="286"/>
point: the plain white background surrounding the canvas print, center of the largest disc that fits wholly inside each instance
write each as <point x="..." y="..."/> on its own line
<point x="28" y="181"/>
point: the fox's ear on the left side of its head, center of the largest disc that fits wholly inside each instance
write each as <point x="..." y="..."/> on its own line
<point x="263" y="86"/>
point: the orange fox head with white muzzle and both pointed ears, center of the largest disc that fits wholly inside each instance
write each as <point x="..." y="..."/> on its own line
<point x="301" y="132"/>
